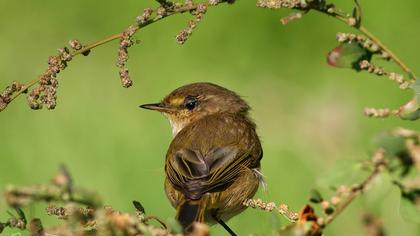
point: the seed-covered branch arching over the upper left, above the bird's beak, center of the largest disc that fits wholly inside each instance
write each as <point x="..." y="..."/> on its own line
<point x="45" y="93"/>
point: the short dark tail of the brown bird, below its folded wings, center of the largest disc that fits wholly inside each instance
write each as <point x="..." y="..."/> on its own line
<point x="189" y="212"/>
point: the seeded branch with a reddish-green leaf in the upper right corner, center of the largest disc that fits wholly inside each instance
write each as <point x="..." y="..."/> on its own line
<point x="356" y="51"/>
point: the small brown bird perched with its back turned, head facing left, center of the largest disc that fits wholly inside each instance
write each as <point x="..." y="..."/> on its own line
<point x="213" y="162"/>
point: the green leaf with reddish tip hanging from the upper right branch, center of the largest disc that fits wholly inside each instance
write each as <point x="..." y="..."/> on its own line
<point x="348" y="55"/>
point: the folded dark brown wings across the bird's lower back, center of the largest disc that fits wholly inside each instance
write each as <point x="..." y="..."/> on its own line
<point x="195" y="174"/>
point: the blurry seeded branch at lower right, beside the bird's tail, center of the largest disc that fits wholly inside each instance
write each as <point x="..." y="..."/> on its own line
<point x="397" y="153"/>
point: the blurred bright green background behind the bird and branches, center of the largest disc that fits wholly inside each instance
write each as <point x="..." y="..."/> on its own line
<point x="309" y="115"/>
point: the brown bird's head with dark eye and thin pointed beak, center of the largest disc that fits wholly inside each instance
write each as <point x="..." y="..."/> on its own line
<point x="195" y="101"/>
